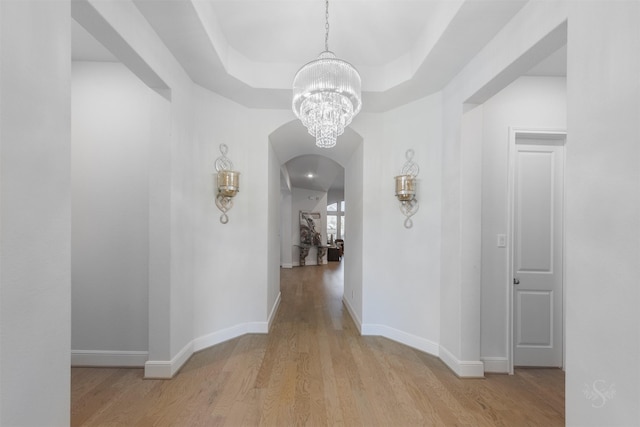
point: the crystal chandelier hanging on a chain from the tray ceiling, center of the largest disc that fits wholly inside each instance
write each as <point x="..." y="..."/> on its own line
<point x="326" y="94"/>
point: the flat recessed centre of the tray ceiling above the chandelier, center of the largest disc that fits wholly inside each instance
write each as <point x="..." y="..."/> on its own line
<point x="363" y="32"/>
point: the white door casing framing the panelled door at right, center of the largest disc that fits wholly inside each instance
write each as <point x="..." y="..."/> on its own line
<point x="537" y="133"/>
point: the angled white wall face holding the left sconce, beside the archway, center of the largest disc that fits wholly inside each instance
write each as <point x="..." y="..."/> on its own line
<point x="235" y="287"/>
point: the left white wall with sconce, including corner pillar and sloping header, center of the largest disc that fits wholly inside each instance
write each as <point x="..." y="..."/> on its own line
<point x="200" y="290"/>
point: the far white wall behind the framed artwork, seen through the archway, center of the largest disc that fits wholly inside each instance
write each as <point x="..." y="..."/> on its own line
<point x="307" y="201"/>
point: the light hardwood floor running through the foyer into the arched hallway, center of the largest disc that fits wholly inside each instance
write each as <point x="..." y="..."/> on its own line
<point x="314" y="369"/>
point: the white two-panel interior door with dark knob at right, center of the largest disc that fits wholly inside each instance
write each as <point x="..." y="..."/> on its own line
<point x="537" y="252"/>
